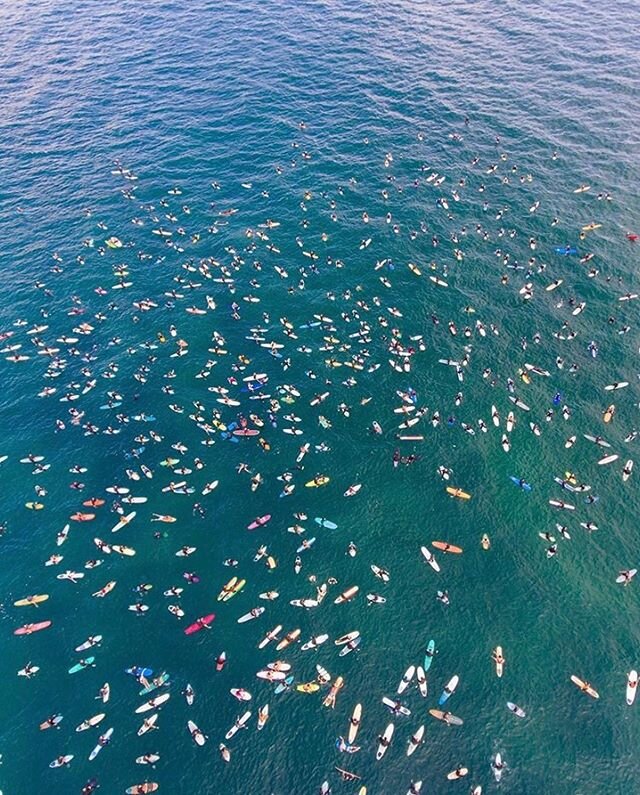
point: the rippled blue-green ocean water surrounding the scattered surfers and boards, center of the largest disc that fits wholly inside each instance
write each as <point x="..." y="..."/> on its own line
<point x="188" y="94"/>
